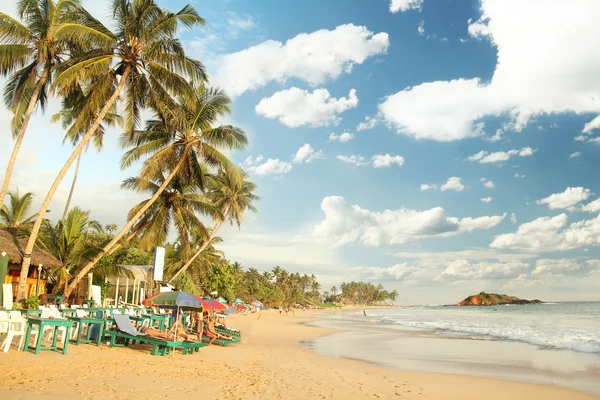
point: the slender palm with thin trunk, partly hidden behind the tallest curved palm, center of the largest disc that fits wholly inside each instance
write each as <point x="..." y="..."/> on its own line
<point x="76" y="119"/>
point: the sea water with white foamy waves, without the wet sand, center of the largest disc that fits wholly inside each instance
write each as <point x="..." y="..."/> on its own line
<point x="572" y="326"/>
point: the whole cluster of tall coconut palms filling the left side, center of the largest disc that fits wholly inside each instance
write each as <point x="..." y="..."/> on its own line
<point x="105" y="77"/>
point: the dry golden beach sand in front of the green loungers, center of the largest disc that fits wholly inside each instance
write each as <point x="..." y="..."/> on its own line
<point x="269" y="363"/>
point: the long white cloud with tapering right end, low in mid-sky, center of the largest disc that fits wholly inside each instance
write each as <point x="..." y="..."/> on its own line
<point x="345" y="223"/>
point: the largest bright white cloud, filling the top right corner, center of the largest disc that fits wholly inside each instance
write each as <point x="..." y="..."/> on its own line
<point x="529" y="79"/>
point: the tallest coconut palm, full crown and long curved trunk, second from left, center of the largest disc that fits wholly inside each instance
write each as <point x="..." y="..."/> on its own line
<point x="142" y="58"/>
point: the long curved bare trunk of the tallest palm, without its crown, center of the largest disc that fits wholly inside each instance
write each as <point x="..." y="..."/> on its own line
<point x="38" y="221"/>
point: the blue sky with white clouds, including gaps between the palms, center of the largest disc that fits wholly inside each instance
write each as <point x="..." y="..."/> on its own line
<point x="352" y="107"/>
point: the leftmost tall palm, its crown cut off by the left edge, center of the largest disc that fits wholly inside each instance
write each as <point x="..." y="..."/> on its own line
<point x="30" y="53"/>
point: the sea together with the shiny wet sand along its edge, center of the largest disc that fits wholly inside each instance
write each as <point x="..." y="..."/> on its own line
<point x="551" y="343"/>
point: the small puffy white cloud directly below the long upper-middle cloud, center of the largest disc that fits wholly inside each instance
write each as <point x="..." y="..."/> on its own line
<point x="295" y="107"/>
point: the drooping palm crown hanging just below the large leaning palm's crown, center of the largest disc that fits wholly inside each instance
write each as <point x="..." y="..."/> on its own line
<point x="177" y="205"/>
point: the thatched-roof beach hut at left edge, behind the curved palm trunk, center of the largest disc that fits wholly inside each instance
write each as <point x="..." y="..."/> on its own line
<point x="42" y="262"/>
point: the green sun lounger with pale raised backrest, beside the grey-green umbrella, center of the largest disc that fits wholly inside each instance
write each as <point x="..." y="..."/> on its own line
<point x="126" y="331"/>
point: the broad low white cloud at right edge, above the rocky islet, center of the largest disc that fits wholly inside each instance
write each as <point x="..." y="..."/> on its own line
<point x="551" y="234"/>
